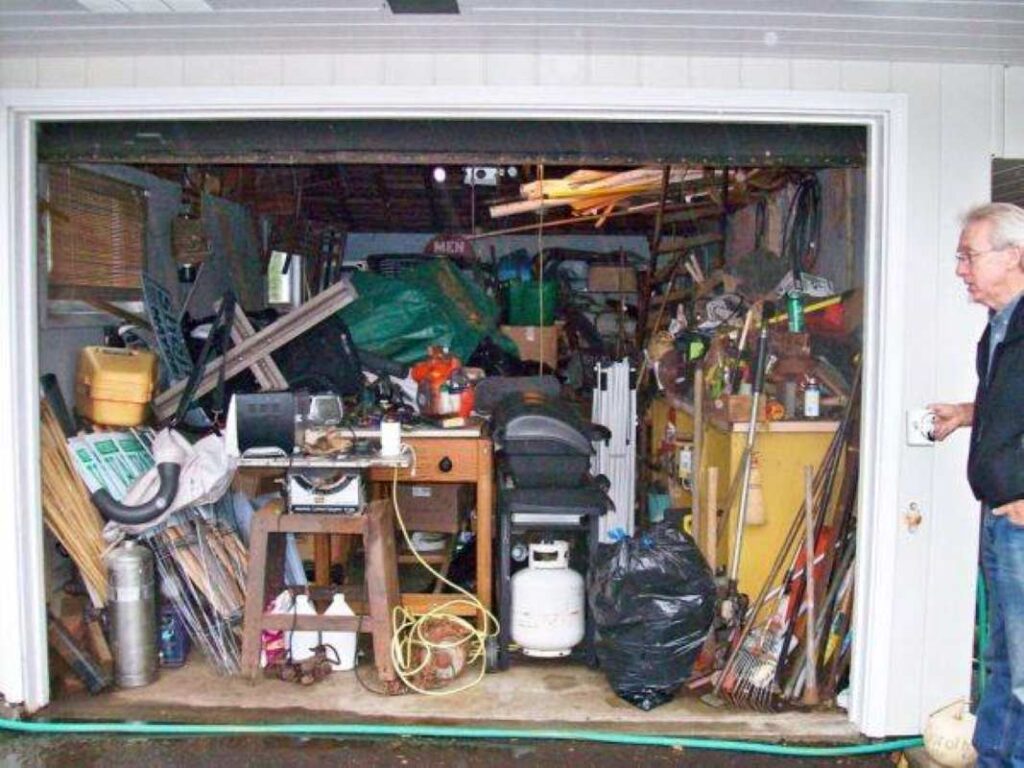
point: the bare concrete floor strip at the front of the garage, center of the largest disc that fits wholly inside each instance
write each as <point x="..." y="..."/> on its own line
<point x="529" y="696"/>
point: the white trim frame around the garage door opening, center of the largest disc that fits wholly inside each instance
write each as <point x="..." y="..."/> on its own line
<point x="23" y="669"/>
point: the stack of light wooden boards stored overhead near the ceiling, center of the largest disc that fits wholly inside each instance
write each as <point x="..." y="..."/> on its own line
<point x="591" y="193"/>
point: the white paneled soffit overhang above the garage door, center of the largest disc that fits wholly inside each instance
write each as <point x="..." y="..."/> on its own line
<point x="963" y="31"/>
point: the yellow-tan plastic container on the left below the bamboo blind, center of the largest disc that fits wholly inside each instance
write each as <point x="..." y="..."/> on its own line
<point x="114" y="387"/>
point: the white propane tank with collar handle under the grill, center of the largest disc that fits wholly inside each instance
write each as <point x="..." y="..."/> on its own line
<point x="547" y="603"/>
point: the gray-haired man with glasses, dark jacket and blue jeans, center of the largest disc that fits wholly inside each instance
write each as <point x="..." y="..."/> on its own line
<point x="991" y="262"/>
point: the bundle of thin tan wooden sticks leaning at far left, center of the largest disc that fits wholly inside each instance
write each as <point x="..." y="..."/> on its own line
<point x="68" y="511"/>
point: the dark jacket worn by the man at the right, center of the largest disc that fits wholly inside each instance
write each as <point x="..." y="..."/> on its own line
<point x="996" y="466"/>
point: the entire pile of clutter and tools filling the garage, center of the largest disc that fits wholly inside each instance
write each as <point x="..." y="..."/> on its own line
<point x="675" y="466"/>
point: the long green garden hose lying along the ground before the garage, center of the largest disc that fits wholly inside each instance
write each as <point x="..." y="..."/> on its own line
<point x="138" y="729"/>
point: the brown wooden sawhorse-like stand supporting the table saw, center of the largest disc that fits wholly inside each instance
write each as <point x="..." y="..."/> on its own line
<point x="267" y="562"/>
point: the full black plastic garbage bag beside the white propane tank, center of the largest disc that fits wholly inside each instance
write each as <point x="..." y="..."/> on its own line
<point x="653" y="600"/>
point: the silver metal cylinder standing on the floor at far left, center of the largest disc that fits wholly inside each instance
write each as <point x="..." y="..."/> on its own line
<point x="132" y="598"/>
